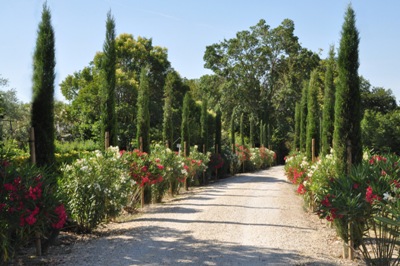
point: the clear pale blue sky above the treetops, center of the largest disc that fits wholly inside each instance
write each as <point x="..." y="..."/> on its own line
<point x="186" y="27"/>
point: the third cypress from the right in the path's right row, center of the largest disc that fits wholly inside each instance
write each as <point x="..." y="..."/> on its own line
<point x="312" y="115"/>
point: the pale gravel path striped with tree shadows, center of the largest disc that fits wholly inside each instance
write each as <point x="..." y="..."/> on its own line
<point x="249" y="219"/>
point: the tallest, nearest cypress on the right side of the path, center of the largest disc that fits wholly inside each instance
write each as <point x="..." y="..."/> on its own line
<point x="348" y="103"/>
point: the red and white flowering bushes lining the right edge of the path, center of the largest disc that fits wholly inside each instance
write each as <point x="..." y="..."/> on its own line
<point x="364" y="206"/>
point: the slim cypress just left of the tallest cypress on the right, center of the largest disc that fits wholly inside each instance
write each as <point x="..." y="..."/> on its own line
<point x="328" y="114"/>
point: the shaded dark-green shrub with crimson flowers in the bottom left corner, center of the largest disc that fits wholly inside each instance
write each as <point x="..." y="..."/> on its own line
<point x="28" y="205"/>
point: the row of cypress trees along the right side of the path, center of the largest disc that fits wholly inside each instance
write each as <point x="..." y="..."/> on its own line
<point x="341" y="114"/>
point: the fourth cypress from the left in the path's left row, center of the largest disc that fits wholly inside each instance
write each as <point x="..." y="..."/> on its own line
<point x="168" y="123"/>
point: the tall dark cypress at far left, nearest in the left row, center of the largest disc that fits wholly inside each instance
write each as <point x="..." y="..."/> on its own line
<point x="42" y="112"/>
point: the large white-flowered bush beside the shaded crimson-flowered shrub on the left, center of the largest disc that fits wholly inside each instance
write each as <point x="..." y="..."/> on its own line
<point x="96" y="187"/>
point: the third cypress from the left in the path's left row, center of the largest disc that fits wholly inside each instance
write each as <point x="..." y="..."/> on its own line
<point x="143" y="115"/>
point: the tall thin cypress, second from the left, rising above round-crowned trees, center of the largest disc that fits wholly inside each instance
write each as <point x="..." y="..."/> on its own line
<point x="109" y="119"/>
